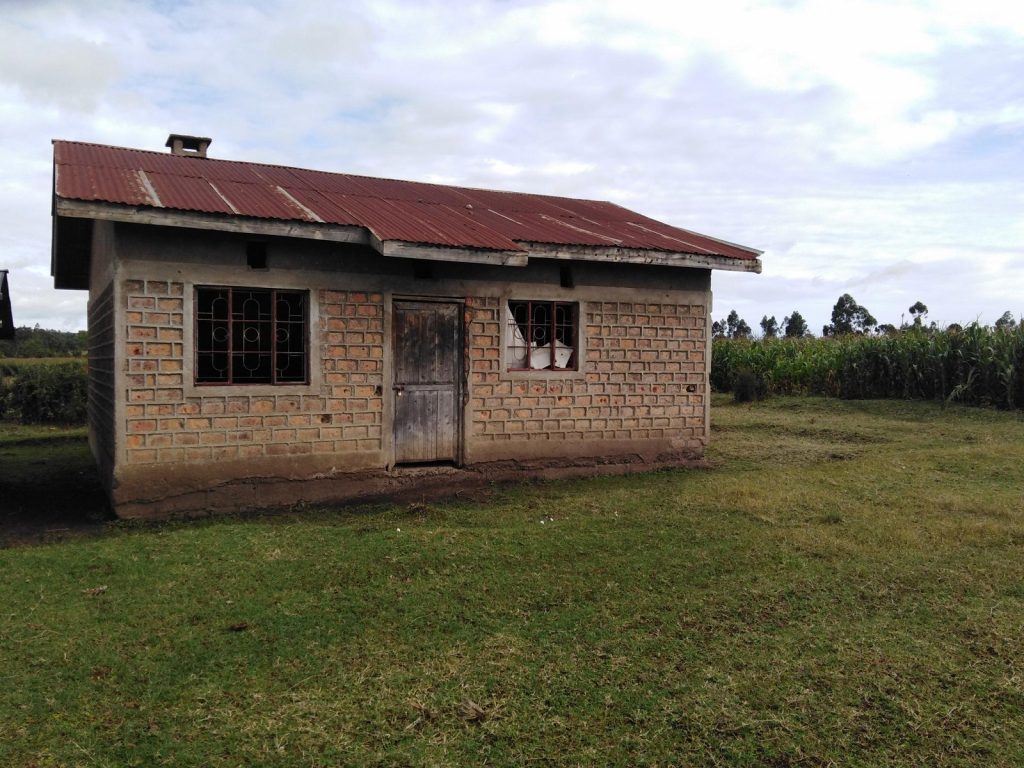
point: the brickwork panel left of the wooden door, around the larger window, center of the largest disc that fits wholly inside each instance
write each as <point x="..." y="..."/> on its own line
<point x="169" y="420"/>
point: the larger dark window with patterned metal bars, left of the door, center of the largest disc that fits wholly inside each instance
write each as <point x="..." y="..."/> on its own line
<point x="250" y="336"/>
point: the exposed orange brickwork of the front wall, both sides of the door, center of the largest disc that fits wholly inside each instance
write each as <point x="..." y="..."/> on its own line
<point x="643" y="382"/>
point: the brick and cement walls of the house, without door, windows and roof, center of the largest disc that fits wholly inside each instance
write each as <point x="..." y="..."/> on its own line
<point x="639" y="396"/>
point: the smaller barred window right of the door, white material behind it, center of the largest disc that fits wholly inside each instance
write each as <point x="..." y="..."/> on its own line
<point x="541" y="336"/>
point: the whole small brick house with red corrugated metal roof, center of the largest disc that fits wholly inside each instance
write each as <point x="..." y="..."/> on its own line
<point x="263" y="335"/>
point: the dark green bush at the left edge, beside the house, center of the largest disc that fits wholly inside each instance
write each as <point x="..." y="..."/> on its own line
<point x="47" y="394"/>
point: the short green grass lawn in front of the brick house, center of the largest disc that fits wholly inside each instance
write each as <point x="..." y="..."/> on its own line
<point x="846" y="587"/>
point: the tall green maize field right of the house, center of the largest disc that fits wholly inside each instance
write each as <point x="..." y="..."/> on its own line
<point x="977" y="366"/>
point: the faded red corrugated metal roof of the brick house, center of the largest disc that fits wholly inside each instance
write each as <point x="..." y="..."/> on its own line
<point x="399" y="211"/>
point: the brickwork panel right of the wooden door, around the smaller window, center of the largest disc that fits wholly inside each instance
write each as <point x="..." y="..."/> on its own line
<point x="643" y="361"/>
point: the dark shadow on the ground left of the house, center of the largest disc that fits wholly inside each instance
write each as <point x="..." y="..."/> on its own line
<point x="50" y="489"/>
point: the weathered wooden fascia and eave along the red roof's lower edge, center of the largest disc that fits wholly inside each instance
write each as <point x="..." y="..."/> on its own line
<point x="73" y="230"/>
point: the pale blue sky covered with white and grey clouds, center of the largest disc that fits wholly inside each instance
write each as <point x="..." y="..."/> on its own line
<point x="875" y="149"/>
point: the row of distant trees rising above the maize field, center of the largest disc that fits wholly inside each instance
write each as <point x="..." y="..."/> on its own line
<point x="848" y="318"/>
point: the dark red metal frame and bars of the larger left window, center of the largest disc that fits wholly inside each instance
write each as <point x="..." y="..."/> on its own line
<point x="276" y="323"/>
